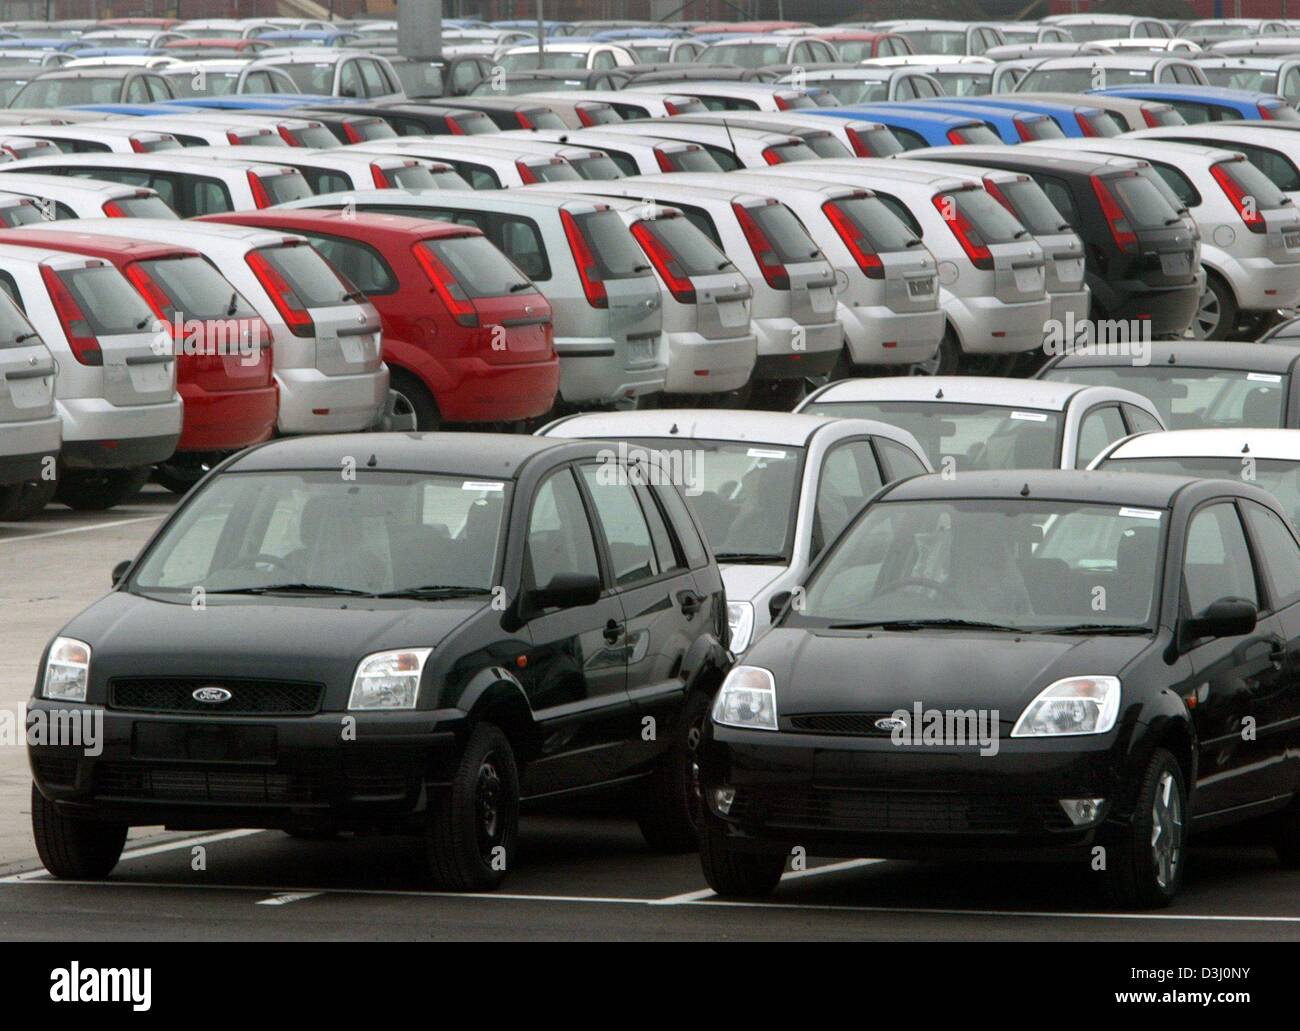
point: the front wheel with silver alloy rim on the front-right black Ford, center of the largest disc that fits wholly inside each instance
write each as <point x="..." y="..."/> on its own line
<point x="1146" y="859"/>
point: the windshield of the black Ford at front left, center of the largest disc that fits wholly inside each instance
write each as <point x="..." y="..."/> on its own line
<point x="324" y="534"/>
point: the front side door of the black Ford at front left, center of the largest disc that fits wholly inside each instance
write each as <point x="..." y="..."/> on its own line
<point x="577" y="673"/>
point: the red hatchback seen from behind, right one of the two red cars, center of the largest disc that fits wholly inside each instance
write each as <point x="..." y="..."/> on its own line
<point x="467" y="336"/>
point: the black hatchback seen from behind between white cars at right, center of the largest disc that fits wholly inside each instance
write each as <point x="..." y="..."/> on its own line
<point x="1141" y="249"/>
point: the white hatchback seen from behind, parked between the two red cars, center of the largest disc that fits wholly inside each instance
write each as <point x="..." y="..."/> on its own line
<point x="326" y="341"/>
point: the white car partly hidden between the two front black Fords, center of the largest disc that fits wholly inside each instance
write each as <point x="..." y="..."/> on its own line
<point x="770" y="489"/>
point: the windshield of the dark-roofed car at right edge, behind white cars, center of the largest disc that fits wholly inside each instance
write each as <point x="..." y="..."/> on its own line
<point x="1189" y="398"/>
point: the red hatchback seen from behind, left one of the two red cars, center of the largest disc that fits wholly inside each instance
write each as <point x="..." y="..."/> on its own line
<point x="224" y="358"/>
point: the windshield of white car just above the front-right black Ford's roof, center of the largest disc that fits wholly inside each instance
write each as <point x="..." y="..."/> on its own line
<point x="965" y="436"/>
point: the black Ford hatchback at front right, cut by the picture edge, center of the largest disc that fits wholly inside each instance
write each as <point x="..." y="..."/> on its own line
<point x="1021" y="665"/>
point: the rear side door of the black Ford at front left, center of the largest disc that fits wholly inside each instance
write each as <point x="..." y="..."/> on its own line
<point x="655" y="586"/>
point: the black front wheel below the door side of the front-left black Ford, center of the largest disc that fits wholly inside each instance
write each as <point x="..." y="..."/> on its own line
<point x="478" y="816"/>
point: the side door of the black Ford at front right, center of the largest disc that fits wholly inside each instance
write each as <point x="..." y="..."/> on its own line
<point x="1230" y="675"/>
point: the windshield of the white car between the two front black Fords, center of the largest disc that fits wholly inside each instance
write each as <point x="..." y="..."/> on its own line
<point x="744" y="495"/>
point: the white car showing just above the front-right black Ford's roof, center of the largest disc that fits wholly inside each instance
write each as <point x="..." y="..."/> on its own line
<point x="985" y="423"/>
